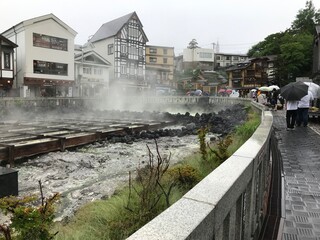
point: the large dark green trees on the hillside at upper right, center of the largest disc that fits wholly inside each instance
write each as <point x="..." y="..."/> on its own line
<point x="293" y="47"/>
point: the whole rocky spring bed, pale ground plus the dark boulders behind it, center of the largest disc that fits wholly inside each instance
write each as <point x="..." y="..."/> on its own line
<point x="96" y="170"/>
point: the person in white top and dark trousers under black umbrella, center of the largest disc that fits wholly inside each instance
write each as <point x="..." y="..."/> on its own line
<point x="292" y="93"/>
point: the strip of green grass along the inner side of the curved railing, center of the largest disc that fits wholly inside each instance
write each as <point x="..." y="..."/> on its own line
<point x="132" y="207"/>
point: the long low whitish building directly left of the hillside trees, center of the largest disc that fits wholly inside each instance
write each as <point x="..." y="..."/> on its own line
<point x="224" y="60"/>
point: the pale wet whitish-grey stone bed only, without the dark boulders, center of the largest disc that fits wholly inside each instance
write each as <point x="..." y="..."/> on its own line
<point x="94" y="171"/>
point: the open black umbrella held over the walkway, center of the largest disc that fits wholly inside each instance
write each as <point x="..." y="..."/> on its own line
<point x="294" y="91"/>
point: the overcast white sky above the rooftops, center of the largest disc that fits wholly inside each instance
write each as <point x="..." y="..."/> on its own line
<point x="235" y="24"/>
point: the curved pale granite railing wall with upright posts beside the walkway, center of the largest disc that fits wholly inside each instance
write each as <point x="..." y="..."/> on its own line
<point x="230" y="203"/>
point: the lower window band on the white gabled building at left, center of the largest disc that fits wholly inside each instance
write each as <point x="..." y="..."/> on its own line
<point x="53" y="68"/>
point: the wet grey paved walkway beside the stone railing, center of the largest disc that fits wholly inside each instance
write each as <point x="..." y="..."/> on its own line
<point x="300" y="150"/>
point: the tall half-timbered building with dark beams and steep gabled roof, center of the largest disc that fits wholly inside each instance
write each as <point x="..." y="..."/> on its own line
<point x="122" y="42"/>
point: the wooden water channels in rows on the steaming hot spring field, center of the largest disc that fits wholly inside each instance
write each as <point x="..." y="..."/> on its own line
<point x="19" y="139"/>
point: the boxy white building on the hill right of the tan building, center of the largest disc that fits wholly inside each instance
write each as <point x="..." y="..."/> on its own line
<point x="200" y="58"/>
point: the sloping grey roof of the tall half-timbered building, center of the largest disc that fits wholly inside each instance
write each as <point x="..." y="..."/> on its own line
<point x="111" y="28"/>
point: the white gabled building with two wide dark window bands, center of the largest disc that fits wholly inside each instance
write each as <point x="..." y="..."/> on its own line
<point x="44" y="57"/>
